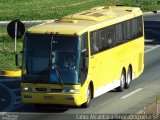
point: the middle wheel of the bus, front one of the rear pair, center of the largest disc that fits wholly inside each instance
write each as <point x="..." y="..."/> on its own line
<point x="122" y="82"/>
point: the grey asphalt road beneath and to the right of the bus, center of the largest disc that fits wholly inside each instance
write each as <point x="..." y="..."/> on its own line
<point x="142" y="92"/>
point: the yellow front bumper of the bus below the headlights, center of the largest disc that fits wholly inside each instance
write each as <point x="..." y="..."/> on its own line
<point x="52" y="98"/>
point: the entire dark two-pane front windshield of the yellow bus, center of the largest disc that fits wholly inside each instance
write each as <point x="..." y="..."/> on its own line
<point x="51" y="59"/>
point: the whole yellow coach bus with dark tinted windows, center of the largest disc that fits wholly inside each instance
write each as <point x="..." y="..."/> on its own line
<point x="82" y="56"/>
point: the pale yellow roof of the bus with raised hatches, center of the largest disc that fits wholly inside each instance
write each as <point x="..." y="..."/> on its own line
<point x="87" y="20"/>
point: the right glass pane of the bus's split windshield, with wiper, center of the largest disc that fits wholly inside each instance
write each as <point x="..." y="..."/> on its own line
<point x="65" y="59"/>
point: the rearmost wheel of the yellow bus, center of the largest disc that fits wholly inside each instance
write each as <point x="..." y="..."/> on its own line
<point x="129" y="78"/>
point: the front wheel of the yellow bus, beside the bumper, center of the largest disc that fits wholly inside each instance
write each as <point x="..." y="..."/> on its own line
<point x="89" y="96"/>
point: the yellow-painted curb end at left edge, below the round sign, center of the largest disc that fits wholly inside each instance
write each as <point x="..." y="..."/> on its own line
<point x="10" y="73"/>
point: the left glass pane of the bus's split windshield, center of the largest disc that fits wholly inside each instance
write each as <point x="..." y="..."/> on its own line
<point x="36" y="58"/>
